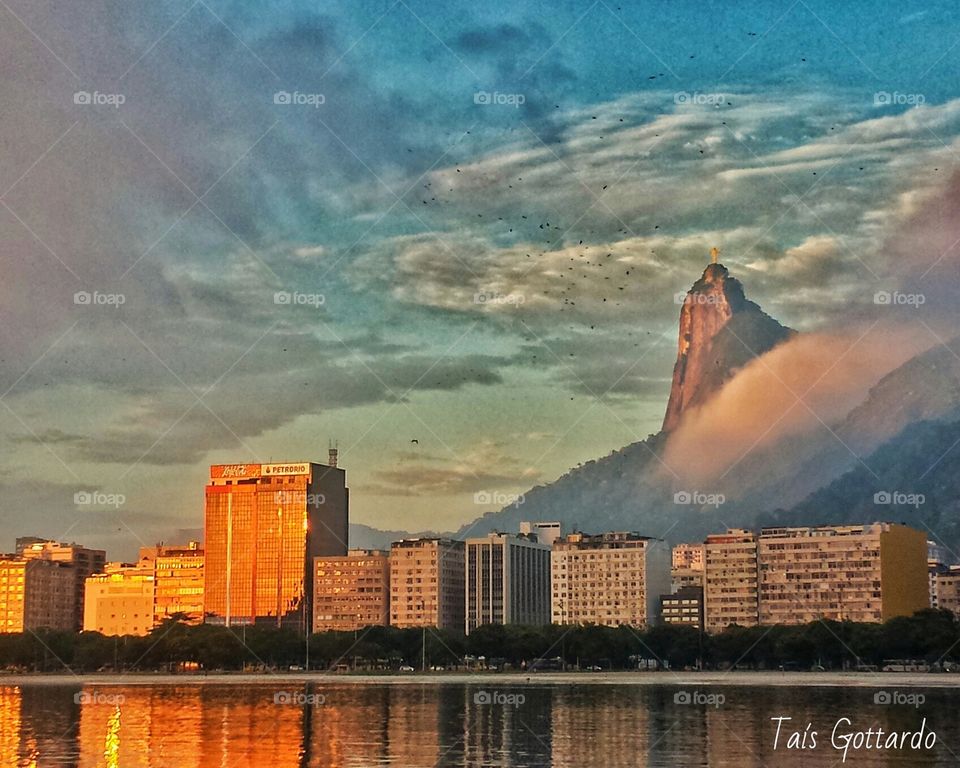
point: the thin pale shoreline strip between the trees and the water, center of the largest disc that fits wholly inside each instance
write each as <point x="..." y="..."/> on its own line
<point x="739" y="678"/>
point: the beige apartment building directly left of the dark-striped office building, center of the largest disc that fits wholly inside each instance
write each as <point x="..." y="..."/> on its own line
<point x="427" y="583"/>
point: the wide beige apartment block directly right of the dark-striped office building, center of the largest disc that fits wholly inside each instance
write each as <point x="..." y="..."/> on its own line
<point x="608" y="579"/>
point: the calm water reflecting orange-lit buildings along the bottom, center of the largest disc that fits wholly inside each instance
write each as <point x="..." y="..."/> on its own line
<point x="491" y="722"/>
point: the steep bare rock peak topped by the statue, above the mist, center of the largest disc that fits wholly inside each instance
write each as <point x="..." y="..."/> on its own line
<point x="720" y="332"/>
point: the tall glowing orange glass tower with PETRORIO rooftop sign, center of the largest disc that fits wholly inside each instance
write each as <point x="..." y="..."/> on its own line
<point x="265" y="524"/>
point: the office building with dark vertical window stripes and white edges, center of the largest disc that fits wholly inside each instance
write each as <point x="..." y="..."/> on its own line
<point x="507" y="580"/>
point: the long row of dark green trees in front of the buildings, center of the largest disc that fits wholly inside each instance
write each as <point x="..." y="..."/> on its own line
<point x="930" y="635"/>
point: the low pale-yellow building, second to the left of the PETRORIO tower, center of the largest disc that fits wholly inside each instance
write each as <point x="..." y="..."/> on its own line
<point x="119" y="601"/>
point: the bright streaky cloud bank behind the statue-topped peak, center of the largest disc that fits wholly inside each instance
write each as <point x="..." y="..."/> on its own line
<point x="556" y="227"/>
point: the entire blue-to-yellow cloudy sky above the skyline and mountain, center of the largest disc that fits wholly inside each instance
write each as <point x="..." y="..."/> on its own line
<point x="445" y="237"/>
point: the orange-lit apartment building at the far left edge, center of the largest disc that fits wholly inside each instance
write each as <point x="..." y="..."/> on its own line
<point x="36" y="594"/>
